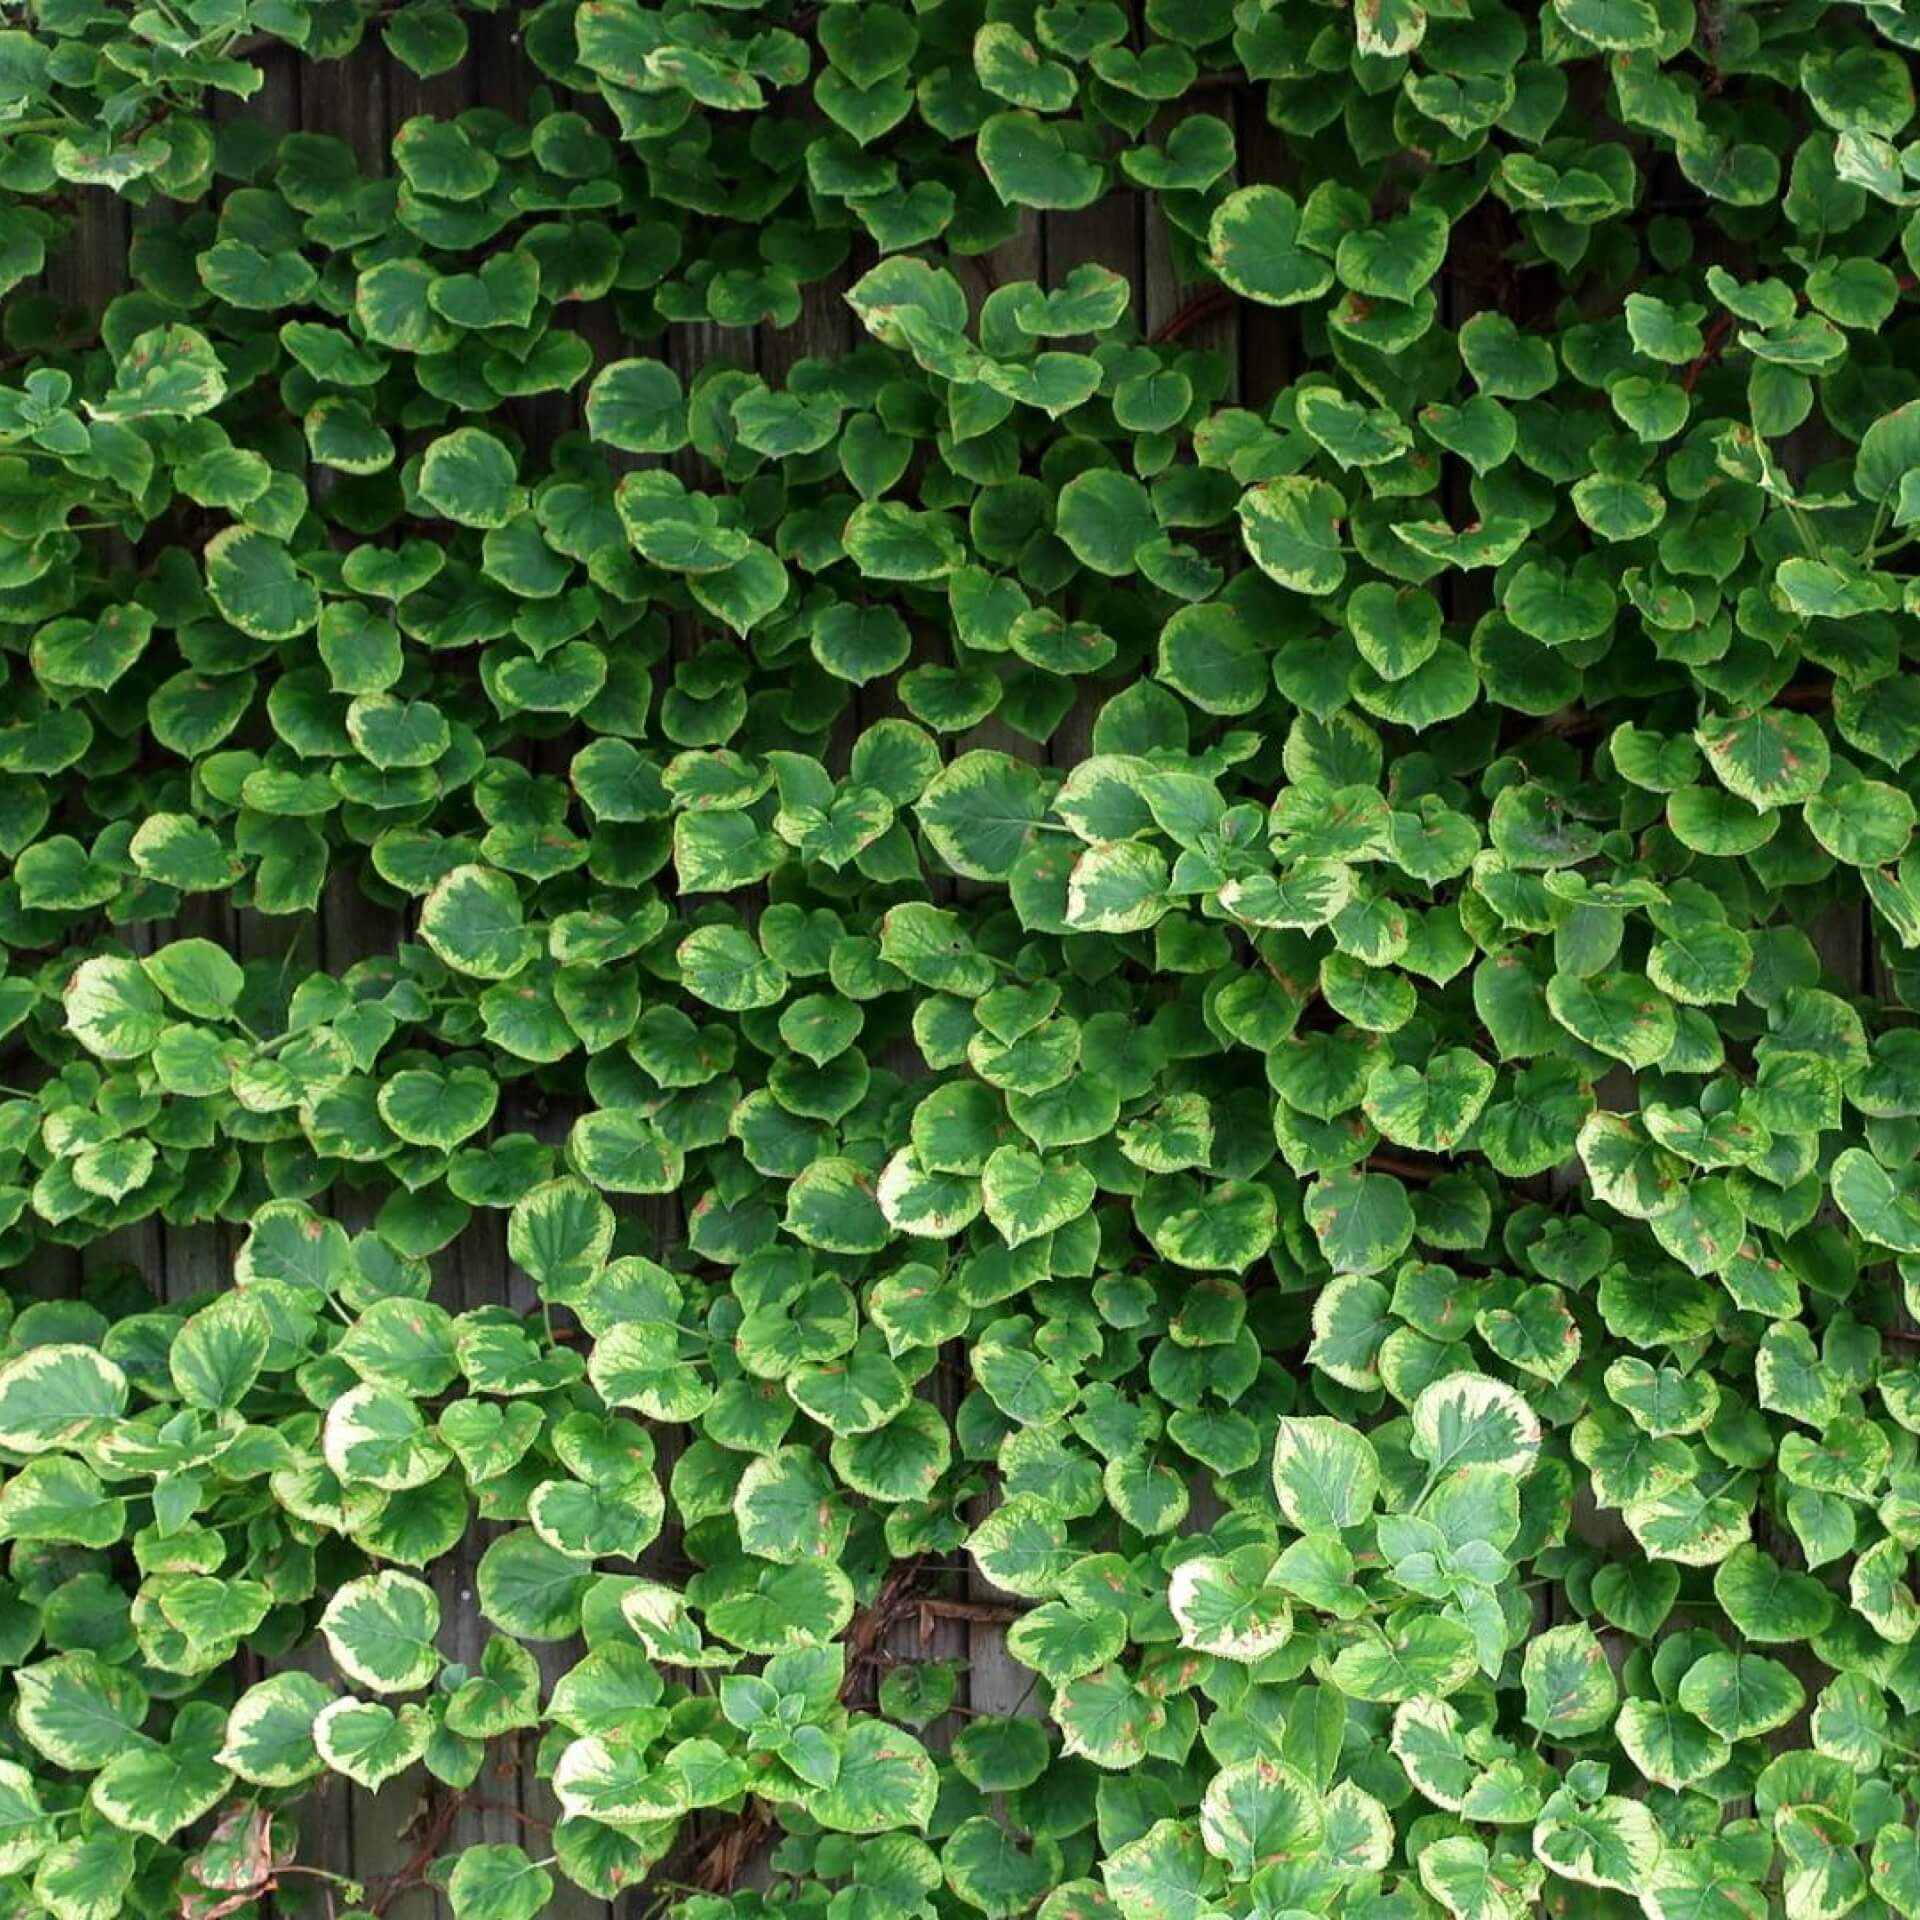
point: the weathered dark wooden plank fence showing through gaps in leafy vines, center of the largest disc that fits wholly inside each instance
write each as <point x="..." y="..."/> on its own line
<point x="364" y="101"/>
